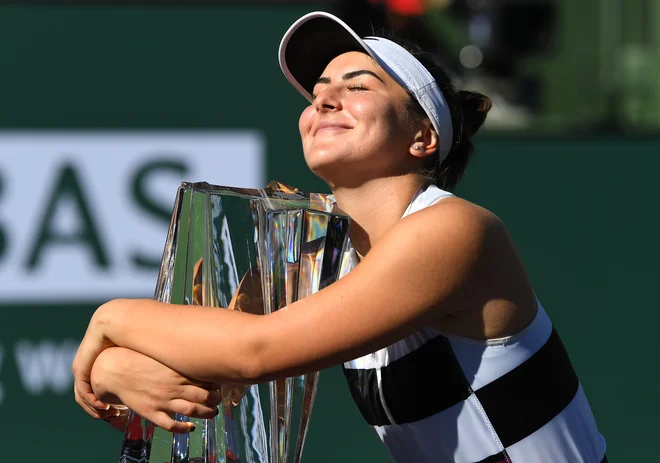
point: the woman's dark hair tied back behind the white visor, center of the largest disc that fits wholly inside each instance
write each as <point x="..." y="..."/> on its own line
<point x="468" y="112"/>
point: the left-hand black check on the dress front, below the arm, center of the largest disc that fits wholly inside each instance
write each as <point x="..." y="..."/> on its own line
<point x="418" y="385"/>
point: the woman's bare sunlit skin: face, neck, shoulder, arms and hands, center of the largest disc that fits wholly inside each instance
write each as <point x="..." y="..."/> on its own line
<point x="451" y="266"/>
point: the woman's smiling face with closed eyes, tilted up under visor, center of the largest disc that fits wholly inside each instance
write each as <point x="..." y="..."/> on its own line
<point x="358" y="126"/>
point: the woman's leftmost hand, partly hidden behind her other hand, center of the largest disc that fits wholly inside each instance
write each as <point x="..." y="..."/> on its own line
<point x="94" y="342"/>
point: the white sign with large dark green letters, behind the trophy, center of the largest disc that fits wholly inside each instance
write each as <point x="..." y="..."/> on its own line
<point x="84" y="215"/>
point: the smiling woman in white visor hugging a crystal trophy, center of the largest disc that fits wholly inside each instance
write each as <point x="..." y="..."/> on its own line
<point x="447" y="352"/>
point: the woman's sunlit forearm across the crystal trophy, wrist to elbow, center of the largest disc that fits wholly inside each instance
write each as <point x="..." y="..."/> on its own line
<point x="208" y="344"/>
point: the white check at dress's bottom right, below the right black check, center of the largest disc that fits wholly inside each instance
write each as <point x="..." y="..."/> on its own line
<point x="572" y="436"/>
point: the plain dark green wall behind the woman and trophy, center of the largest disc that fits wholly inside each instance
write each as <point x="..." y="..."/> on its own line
<point x="582" y="209"/>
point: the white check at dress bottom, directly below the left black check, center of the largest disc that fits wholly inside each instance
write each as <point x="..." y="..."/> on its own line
<point x="436" y="438"/>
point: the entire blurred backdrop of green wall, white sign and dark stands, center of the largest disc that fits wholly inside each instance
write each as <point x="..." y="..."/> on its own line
<point x="105" y="109"/>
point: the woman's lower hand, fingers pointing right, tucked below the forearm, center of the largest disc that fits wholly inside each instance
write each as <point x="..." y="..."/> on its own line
<point x="151" y="389"/>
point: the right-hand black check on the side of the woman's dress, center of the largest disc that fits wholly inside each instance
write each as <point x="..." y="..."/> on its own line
<point x="529" y="396"/>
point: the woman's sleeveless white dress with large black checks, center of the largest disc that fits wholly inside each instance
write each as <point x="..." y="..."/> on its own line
<point x="435" y="397"/>
